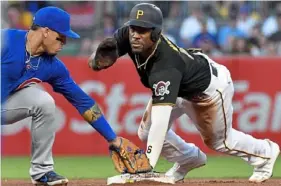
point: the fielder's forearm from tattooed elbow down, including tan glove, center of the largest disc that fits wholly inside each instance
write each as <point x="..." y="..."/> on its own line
<point x="126" y="156"/>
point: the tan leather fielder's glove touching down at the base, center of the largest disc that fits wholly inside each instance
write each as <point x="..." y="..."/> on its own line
<point x="128" y="158"/>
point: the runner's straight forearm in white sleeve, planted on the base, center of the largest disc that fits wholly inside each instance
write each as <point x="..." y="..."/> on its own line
<point x="160" y="116"/>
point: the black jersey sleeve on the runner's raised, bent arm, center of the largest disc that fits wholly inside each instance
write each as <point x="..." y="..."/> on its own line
<point x="122" y="38"/>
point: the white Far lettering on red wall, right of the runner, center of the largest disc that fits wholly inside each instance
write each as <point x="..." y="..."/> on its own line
<point x="256" y="111"/>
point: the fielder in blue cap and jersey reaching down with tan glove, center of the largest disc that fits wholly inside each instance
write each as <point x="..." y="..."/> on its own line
<point x="28" y="57"/>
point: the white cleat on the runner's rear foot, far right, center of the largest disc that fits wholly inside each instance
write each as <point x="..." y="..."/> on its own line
<point x="264" y="172"/>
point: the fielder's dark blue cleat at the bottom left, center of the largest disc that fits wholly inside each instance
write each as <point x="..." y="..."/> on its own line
<point x="50" y="178"/>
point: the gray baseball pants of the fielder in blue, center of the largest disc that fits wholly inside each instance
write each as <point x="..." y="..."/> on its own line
<point x="38" y="104"/>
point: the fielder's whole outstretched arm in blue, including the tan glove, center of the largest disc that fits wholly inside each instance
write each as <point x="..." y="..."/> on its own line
<point x="126" y="156"/>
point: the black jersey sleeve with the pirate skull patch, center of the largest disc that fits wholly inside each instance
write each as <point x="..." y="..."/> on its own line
<point x="165" y="86"/>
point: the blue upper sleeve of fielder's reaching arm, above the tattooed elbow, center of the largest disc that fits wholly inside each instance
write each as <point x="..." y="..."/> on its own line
<point x="62" y="83"/>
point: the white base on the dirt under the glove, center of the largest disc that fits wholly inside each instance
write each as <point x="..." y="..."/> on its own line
<point x="132" y="178"/>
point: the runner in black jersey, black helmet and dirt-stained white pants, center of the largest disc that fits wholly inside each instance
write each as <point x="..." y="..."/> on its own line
<point x="182" y="82"/>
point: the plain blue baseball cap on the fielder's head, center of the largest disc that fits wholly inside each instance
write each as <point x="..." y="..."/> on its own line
<point x="56" y="19"/>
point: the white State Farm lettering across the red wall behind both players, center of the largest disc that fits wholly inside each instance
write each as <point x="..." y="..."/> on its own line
<point x="253" y="111"/>
